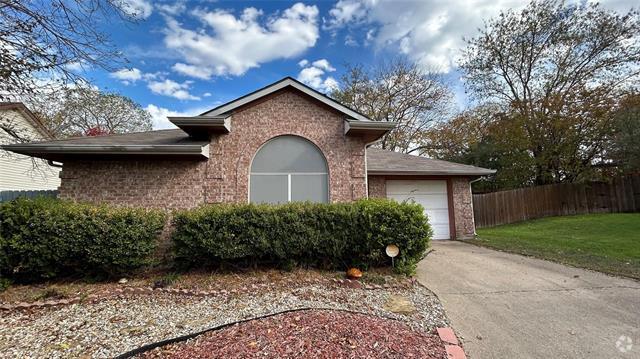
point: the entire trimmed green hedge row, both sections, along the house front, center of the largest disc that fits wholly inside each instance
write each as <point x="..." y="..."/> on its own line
<point x="45" y="238"/>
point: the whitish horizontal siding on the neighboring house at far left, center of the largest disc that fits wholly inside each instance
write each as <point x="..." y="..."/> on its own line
<point x="17" y="172"/>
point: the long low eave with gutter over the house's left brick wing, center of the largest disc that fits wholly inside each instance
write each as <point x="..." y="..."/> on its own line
<point x="62" y="151"/>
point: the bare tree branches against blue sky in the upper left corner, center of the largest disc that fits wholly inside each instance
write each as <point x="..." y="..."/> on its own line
<point x="45" y="43"/>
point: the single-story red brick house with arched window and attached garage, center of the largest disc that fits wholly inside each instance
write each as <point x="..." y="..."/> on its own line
<point x="284" y="142"/>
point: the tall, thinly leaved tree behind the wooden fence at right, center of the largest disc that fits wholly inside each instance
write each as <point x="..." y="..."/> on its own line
<point x="558" y="70"/>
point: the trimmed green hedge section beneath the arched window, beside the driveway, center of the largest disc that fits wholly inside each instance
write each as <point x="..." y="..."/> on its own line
<point x="318" y="235"/>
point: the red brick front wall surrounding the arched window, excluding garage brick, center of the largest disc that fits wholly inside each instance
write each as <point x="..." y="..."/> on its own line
<point x="224" y="177"/>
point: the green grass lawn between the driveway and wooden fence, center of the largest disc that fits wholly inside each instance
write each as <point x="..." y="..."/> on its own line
<point x="608" y="243"/>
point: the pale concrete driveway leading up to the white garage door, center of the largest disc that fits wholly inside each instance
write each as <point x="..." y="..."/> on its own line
<point x="510" y="306"/>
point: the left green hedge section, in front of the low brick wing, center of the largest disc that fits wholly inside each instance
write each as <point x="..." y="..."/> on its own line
<point x="45" y="238"/>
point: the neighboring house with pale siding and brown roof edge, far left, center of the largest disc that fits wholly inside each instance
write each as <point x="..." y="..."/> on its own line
<point x="17" y="172"/>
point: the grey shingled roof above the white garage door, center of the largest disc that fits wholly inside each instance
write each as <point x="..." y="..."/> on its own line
<point x="384" y="162"/>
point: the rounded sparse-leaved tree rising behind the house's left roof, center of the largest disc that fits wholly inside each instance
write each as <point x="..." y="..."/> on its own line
<point x="90" y="112"/>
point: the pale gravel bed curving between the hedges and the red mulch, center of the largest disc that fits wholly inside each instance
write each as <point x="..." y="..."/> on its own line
<point x="118" y="324"/>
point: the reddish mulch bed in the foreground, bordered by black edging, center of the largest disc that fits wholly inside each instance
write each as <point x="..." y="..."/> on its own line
<point x="310" y="333"/>
